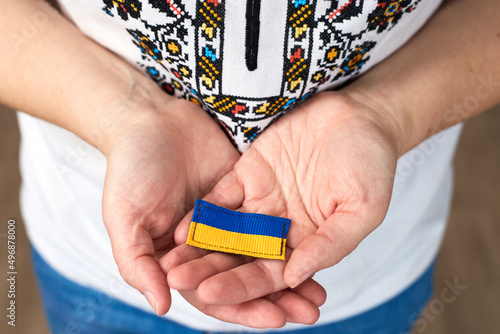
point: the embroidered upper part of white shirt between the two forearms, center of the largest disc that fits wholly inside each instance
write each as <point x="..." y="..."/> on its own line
<point x="247" y="62"/>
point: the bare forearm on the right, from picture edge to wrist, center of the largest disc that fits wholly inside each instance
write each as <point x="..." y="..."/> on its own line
<point x="449" y="72"/>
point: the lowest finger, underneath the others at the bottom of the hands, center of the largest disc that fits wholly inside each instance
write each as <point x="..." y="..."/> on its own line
<point x="259" y="313"/>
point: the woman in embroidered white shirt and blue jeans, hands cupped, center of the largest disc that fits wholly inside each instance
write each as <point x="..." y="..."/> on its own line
<point x="329" y="164"/>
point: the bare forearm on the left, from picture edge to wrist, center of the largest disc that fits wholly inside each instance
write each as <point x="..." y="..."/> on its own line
<point x="50" y="70"/>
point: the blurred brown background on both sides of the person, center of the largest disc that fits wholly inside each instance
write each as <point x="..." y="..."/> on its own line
<point x="470" y="254"/>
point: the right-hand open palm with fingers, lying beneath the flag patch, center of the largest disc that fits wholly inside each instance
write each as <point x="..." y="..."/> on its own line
<point x="329" y="166"/>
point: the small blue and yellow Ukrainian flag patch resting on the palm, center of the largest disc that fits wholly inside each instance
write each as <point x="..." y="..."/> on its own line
<point x="219" y="229"/>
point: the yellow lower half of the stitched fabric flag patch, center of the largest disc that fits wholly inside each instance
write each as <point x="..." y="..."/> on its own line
<point x="211" y="238"/>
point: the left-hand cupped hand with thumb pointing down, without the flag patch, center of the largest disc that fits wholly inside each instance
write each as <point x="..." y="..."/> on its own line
<point x="158" y="163"/>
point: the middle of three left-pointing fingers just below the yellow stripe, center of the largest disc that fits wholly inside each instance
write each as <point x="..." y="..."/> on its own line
<point x="189" y="275"/>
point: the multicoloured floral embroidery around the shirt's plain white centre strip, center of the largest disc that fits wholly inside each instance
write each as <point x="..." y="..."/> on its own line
<point x="325" y="44"/>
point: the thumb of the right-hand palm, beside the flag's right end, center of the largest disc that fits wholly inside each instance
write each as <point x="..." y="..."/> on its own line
<point x="338" y="236"/>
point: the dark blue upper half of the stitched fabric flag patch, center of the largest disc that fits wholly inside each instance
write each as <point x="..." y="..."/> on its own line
<point x="235" y="221"/>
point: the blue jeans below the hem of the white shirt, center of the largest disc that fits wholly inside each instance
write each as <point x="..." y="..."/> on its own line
<point x="75" y="309"/>
